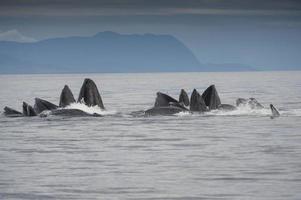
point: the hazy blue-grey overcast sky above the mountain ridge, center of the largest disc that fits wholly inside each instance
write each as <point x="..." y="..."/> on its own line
<point x="234" y="31"/>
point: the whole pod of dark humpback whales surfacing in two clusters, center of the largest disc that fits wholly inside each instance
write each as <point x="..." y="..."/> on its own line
<point x="164" y="104"/>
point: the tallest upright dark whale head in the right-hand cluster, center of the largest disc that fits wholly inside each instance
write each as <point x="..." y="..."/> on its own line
<point x="211" y="98"/>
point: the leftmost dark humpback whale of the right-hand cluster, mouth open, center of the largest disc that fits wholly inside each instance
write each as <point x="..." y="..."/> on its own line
<point x="165" y="105"/>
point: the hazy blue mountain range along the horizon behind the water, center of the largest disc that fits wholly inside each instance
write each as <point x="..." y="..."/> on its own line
<point x="104" y="52"/>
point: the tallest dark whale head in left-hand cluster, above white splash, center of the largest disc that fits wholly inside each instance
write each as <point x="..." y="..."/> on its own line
<point x="89" y="94"/>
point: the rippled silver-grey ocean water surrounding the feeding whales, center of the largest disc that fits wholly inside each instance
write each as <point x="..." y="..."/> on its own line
<point x="241" y="154"/>
